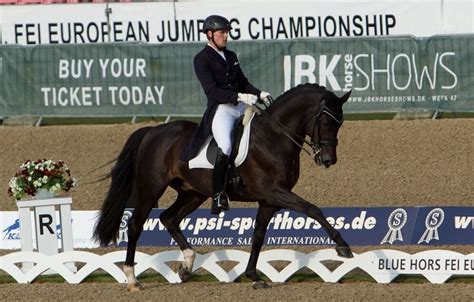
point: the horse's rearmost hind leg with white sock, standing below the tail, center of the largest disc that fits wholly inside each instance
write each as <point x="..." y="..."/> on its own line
<point x="146" y="200"/>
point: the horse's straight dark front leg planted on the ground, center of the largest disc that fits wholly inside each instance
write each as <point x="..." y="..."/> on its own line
<point x="264" y="214"/>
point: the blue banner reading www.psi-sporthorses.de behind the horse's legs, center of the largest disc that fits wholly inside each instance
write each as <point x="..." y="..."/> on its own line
<point x="358" y="226"/>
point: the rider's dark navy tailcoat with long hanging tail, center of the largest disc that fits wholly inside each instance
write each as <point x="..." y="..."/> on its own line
<point x="221" y="80"/>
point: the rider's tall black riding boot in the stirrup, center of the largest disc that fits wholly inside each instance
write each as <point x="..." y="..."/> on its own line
<point x="220" y="201"/>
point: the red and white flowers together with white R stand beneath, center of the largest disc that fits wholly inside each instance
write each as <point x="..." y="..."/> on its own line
<point x="42" y="180"/>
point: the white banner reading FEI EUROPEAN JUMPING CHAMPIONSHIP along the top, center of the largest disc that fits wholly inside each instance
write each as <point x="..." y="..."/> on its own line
<point x="181" y="22"/>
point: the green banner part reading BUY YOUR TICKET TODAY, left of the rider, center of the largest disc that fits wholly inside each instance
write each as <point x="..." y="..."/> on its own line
<point x="99" y="80"/>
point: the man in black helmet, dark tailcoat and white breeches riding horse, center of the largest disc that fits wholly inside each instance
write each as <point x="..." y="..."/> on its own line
<point x="228" y="91"/>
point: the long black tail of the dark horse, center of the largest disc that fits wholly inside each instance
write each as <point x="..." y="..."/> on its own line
<point x="120" y="189"/>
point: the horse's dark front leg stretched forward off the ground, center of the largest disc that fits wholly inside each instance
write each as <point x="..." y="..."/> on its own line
<point x="287" y="199"/>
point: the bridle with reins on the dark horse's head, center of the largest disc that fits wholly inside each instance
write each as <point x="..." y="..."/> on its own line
<point x="316" y="145"/>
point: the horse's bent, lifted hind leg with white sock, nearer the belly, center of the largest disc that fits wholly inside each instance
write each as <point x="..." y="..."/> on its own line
<point x="186" y="203"/>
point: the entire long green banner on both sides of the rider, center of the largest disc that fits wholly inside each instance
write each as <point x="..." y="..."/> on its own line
<point x="384" y="74"/>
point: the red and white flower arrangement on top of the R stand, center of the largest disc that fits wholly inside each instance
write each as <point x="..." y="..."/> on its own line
<point x="53" y="176"/>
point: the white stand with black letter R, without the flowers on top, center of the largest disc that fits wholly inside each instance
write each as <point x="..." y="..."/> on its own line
<point x="45" y="227"/>
